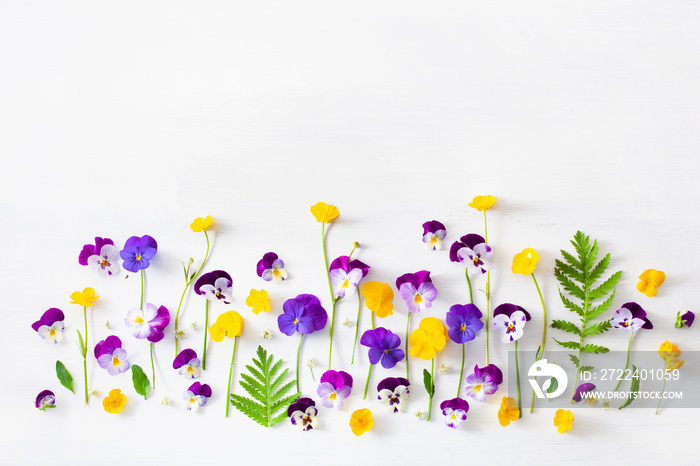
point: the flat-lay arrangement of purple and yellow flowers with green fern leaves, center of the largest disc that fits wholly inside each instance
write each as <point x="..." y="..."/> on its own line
<point x="273" y="387"/>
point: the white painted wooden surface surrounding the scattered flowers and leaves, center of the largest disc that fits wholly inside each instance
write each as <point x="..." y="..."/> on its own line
<point x="132" y="118"/>
